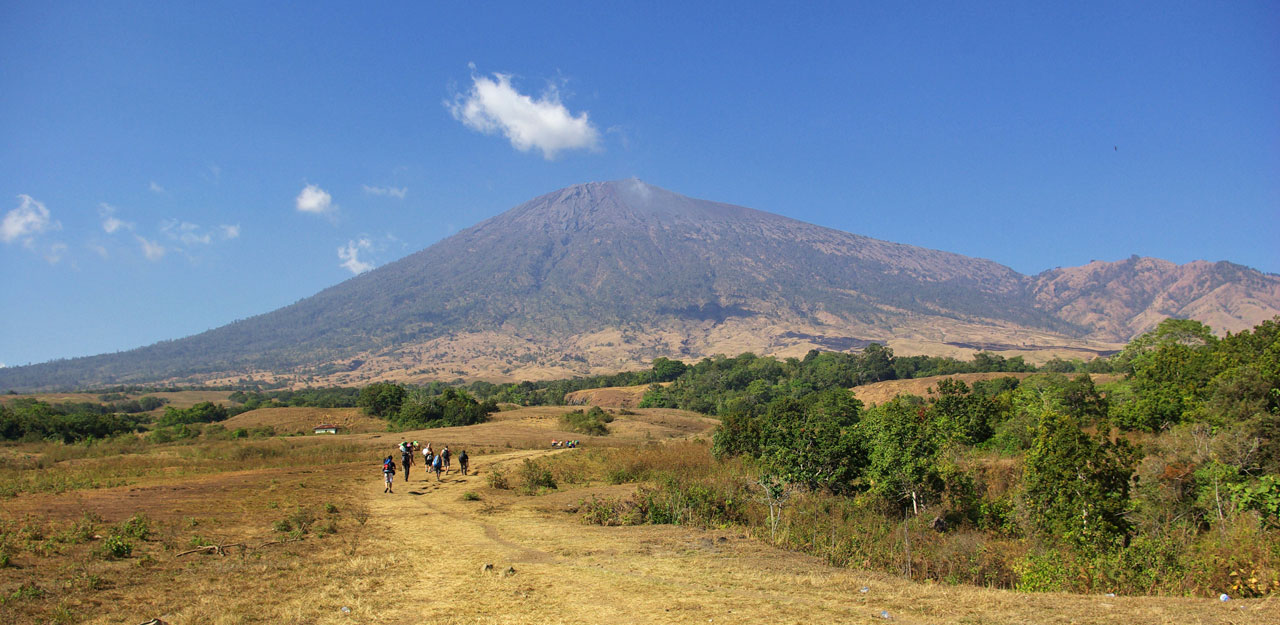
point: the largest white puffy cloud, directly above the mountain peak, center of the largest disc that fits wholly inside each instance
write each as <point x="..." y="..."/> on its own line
<point x="493" y="106"/>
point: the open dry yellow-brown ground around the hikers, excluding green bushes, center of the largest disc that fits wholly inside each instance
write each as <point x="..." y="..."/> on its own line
<point x="419" y="555"/>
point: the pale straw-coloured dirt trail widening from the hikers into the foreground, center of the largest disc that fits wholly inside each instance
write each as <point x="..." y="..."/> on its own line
<point x="565" y="572"/>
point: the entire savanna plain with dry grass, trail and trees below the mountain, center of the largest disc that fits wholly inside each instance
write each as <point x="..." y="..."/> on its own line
<point x="1135" y="489"/>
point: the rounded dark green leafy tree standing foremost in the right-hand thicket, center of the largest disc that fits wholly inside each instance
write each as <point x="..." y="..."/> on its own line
<point x="1077" y="486"/>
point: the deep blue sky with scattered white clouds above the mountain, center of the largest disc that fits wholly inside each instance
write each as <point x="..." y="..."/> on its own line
<point x="167" y="168"/>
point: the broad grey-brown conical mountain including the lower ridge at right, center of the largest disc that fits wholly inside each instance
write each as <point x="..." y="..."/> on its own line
<point x="602" y="277"/>
